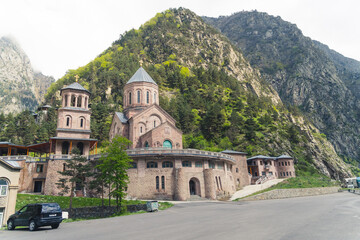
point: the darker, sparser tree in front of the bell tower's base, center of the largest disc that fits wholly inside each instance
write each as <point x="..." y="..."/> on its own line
<point x="75" y="173"/>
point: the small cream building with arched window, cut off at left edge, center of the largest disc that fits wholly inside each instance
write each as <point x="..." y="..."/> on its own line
<point x="9" y="178"/>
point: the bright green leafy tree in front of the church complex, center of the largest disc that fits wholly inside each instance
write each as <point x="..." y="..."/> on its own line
<point x="114" y="163"/>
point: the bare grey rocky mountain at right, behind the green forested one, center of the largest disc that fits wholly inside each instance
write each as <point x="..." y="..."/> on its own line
<point x="321" y="82"/>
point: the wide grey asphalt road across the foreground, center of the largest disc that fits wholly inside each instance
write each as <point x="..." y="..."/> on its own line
<point x="335" y="216"/>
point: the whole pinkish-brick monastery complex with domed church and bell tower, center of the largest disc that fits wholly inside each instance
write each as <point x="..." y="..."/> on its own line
<point x="161" y="168"/>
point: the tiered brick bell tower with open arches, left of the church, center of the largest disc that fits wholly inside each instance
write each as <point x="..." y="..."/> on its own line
<point x="73" y="125"/>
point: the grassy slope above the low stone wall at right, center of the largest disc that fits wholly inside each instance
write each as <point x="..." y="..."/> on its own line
<point x="304" y="181"/>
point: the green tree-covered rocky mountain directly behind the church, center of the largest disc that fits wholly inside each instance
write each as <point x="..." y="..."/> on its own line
<point x="206" y="84"/>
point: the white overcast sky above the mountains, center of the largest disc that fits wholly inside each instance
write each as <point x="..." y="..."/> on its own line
<point x="66" y="34"/>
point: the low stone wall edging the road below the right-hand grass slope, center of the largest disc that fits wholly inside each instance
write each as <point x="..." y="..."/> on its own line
<point x="290" y="193"/>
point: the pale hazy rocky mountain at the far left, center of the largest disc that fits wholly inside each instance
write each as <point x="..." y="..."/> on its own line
<point x="20" y="86"/>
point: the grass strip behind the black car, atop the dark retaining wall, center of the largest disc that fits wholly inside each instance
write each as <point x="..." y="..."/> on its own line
<point x="23" y="199"/>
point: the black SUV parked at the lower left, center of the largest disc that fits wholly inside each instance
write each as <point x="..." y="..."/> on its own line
<point x="36" y="215"/>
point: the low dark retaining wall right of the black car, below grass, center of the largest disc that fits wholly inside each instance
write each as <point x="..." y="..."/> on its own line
<point x="106" y="211"/>
